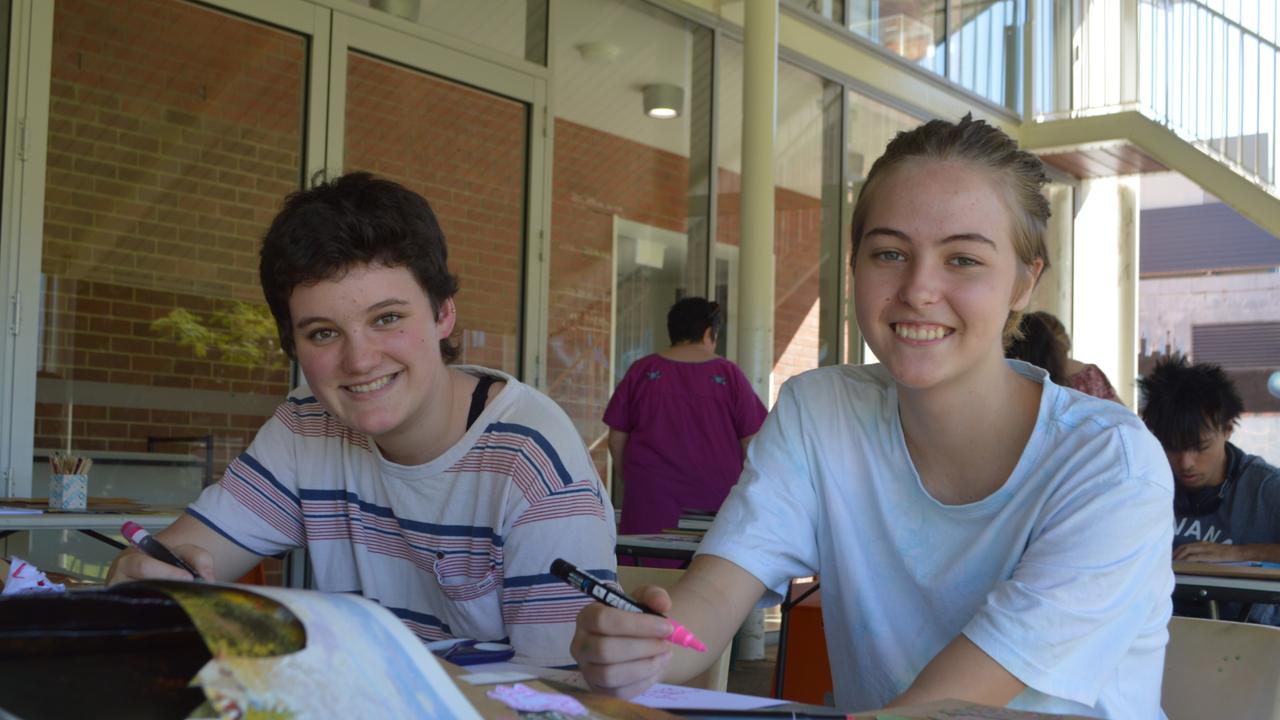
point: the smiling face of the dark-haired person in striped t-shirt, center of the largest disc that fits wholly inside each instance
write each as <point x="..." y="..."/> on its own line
<point x="369" y="347"/>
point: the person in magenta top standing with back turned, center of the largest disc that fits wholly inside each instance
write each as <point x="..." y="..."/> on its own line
<point x="680" y="422"/>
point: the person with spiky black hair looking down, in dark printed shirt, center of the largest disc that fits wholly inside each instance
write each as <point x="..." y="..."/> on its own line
<point x="1227" y="503"/>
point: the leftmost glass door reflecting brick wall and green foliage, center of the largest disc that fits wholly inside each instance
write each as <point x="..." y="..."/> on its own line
<point x="156" y="143"/>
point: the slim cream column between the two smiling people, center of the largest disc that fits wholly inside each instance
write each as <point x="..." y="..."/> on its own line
<point x="756" y="254"/>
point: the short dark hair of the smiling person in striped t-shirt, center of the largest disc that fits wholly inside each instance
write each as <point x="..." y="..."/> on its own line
<point x="355" y="220"/>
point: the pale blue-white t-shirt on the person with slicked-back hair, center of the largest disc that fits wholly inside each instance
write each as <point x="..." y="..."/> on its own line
<point x="1063" y="576"/>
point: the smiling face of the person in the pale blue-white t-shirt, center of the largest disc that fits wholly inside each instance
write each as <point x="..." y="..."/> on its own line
<point x="938" y="275"/>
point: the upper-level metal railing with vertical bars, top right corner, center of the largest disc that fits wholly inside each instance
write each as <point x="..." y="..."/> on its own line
<point x="1205" y="70"/>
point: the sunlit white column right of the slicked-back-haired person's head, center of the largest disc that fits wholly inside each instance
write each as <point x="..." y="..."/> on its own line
<point x="1105" y="318"/>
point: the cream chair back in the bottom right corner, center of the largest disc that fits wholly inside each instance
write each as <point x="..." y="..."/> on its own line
<point x="1219" y="669"/>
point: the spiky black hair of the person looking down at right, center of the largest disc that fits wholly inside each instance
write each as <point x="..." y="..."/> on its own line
<point x="1183" y="402"/>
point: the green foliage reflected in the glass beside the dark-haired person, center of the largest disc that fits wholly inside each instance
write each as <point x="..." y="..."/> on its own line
<point x="244" y="334"/>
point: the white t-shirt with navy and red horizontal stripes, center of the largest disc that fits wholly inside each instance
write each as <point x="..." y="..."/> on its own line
<point x="458" y="548"/>
